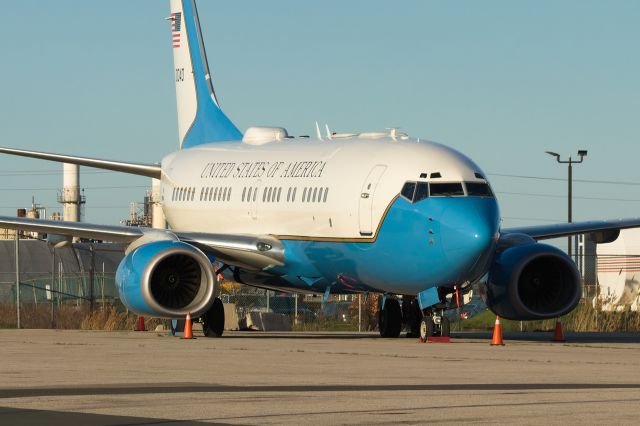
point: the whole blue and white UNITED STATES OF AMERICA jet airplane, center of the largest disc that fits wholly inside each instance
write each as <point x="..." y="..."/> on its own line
<point x="344" y="213"/>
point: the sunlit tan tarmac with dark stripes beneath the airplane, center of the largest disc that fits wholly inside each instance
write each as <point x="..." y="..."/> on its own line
<point x="129" y="378"/>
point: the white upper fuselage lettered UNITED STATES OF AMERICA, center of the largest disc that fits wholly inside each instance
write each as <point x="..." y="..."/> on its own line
<point x="339" y="167"/>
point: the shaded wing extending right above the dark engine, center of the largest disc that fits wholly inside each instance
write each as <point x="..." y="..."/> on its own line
<point x="607" y="229"/>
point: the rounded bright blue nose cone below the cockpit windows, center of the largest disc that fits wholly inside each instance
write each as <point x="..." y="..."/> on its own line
<point x="468" y="230"/>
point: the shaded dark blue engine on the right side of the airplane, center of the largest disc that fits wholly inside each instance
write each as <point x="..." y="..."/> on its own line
<point x="531" y="282"/>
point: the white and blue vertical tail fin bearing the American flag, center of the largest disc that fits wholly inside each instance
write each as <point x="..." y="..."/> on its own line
<point x="200" y="119"/>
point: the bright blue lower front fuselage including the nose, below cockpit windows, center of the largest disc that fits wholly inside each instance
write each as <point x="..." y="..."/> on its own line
<point x="439" y="241"/>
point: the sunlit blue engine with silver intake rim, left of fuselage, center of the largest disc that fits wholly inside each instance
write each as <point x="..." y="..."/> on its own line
<point x="166" y="279"/>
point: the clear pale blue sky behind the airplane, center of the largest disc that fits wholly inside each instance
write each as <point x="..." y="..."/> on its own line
<point x="502" y="81"/>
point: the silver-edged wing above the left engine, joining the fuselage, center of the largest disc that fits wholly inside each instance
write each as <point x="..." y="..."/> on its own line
<point x="247" y="251"/>
